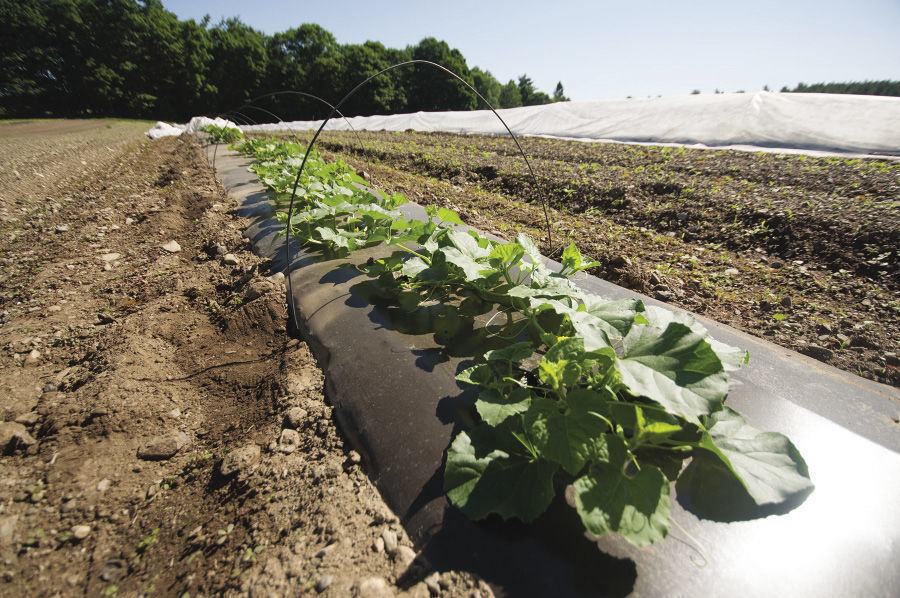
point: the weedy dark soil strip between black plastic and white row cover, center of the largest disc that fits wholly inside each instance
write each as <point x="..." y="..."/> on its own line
<point x="801" y="251"/>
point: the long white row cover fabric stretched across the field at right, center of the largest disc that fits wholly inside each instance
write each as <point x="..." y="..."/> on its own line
<point x="809" y="121"/>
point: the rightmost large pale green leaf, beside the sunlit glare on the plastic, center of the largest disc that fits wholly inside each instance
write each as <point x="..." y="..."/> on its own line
<point x="767" y="464"/>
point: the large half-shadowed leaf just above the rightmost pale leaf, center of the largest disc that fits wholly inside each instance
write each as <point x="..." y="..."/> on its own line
<point x="675" y="367"/>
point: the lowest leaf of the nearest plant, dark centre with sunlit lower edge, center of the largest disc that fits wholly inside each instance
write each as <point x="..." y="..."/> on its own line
<point x="608" y="500"/>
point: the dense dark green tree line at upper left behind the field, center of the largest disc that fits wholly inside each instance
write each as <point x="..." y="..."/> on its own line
<point x="130" y="58"/>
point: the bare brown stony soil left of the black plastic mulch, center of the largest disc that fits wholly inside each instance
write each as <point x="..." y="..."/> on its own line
<point x="161" y="433"/>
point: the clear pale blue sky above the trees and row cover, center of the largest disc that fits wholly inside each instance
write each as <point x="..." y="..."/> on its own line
<point x="612" y="49"/>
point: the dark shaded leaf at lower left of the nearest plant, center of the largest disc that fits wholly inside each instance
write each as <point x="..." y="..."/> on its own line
<point x="480" y="483"/>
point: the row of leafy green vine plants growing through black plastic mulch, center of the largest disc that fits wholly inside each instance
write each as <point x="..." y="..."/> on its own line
<point x="608" y="401"/>
